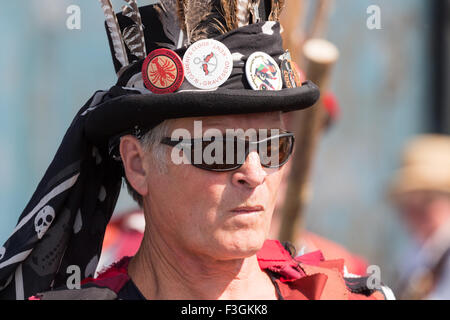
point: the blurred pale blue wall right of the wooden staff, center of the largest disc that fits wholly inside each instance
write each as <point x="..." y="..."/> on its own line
<point x="382" y="81"/>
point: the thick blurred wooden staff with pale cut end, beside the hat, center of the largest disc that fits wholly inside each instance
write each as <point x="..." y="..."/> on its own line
<point x="320" y="56"/>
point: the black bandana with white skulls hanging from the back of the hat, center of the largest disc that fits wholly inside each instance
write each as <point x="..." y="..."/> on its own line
<point x="76" y="197"/>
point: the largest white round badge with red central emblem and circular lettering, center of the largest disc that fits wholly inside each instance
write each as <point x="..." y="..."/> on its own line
<point x="207" y="64"/>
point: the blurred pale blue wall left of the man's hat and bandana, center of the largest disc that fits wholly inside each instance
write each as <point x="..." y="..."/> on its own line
<point x="48" y="72"/>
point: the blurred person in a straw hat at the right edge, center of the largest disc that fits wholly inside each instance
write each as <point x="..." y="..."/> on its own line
<point x="421" y="191"/>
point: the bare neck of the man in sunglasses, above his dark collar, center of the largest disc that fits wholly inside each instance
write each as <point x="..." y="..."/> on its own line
<point x="162" y="272"/>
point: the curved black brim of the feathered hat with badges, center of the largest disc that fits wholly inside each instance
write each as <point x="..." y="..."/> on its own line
<point x="120" y="114"/>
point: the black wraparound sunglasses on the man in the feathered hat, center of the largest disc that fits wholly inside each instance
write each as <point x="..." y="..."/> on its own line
<point x="273" y="151"/>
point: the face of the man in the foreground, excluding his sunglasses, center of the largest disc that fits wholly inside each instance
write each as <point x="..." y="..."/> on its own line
<point x="223" y="215"/>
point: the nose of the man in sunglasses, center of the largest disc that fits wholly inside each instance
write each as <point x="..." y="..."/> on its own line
<point x="251" y="174"/>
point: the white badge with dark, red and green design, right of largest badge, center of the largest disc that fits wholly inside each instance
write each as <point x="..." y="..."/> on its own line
<point x="263" y="72"/>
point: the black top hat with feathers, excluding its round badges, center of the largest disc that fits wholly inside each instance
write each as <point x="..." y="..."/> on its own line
<point x="158" y="26"/>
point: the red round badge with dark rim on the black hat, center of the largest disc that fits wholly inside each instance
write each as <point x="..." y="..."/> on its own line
<point x="162" y="71"/>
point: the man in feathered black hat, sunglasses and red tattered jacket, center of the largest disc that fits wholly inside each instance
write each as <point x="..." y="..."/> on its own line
<point x="207" y="195"/>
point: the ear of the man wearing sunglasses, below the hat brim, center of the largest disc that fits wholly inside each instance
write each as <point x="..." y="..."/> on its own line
<point x="133" y="159"/>
